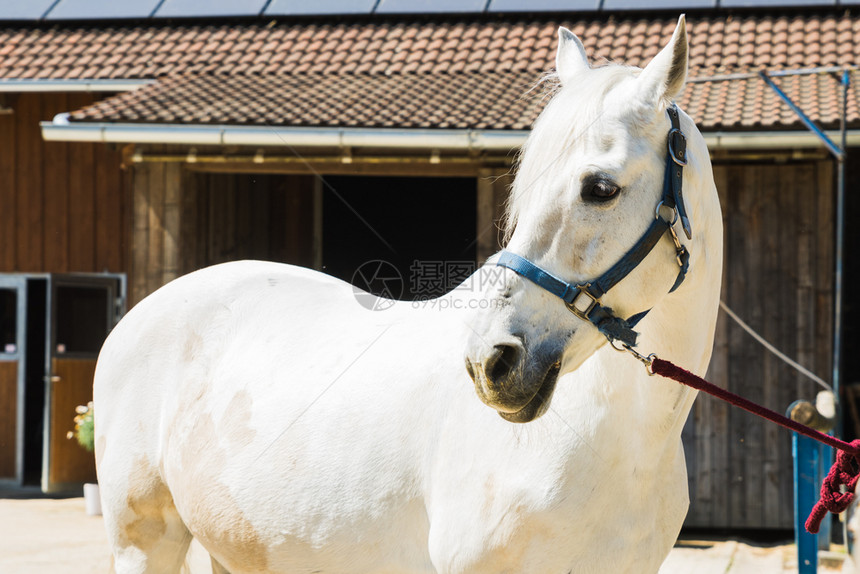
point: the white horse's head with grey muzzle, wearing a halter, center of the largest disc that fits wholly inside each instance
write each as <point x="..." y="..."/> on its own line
<point x="588" y="188"/>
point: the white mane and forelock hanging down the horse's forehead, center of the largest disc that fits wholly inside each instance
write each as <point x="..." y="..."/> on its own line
<point x="571" y="111"/>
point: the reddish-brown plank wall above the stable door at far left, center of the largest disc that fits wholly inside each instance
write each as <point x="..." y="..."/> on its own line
<point x="62" y="205"/>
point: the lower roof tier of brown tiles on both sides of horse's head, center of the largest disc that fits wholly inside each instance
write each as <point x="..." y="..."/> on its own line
<point x="497" y="100"/>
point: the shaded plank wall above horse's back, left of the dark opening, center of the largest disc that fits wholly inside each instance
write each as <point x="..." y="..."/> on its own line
<point x="186" y="220"/>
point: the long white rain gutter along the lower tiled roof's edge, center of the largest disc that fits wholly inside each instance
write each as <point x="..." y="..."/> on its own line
<point x="60" y="129"/>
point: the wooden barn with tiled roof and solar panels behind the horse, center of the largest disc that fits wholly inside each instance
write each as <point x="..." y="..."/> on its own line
<point x="143" y="140"/>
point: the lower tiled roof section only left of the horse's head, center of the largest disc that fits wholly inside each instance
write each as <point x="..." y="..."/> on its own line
<point x="465" y="100"/>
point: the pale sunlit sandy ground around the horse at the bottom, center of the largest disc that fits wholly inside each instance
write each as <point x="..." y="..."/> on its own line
<point x="46" y="536"/>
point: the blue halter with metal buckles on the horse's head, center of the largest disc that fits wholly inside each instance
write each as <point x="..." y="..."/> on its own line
<point x="583" y="299"/>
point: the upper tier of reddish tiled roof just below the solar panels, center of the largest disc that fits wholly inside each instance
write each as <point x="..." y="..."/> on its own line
<point x="718" y="42"/>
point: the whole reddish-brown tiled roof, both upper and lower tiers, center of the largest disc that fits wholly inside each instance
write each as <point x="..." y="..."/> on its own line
<point x="429" y="73"/>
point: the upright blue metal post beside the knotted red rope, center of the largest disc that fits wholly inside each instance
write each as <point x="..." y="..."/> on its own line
<point x="805" y="453"/>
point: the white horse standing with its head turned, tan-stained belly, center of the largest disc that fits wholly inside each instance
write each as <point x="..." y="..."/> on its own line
<point x="260" y="409"/>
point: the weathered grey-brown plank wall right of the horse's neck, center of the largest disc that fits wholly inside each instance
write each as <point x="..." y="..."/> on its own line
<point x="778" y="277"/>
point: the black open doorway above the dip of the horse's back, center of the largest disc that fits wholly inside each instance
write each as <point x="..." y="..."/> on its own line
<point x="423" y="227"/>
